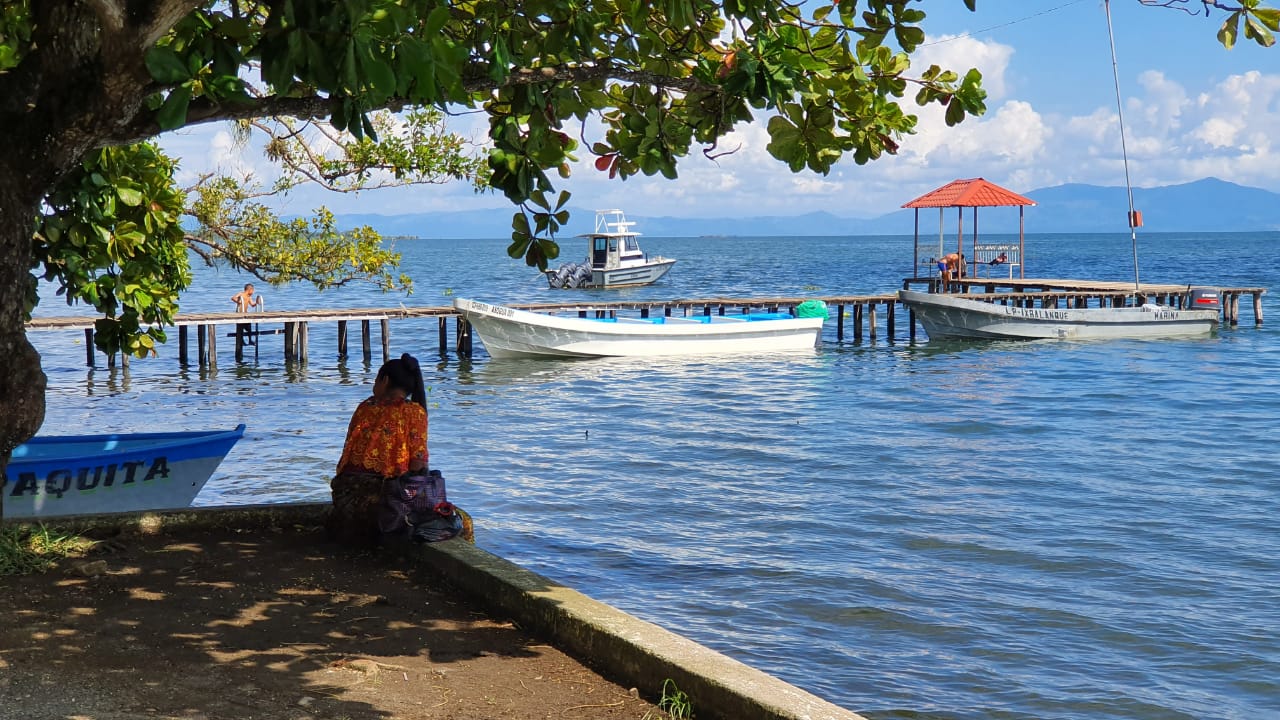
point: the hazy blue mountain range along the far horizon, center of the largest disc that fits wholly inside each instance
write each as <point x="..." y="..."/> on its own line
<point x="1206" y="206"/>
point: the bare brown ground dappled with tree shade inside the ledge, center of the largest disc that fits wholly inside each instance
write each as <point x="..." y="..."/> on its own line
<point x="273" y="625"/>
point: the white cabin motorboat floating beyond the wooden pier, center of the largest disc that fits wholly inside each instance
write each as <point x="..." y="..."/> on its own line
<point x="614" y="258"/>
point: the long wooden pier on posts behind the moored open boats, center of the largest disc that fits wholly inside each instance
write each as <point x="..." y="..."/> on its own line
<point x="853" y="316"/>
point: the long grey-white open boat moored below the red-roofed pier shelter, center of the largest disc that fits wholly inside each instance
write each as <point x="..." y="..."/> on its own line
<point x="945" y="317"/>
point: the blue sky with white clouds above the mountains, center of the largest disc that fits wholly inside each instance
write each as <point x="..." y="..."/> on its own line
<point x="1192" y="110"/>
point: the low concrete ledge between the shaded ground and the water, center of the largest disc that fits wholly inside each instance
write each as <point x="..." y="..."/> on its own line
<point x="619" y="646"/>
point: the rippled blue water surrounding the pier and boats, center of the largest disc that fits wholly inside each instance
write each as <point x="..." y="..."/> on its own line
<point x="962" y="531"/>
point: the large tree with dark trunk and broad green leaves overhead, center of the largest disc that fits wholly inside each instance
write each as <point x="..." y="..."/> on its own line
<point x="636" y="84"/>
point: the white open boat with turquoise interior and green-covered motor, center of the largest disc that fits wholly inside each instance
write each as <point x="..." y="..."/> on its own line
<point x="509" y="332"/>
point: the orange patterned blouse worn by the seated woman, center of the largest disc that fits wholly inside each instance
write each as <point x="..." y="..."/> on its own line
<point x="385" y="438"/>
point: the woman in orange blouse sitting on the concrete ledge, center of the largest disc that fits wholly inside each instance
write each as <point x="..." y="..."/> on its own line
<point x="386" y="439"/>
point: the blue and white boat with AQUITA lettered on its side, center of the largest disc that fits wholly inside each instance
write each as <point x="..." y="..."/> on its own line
<point x="62" y="476"/>
